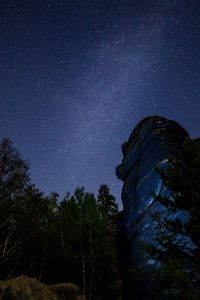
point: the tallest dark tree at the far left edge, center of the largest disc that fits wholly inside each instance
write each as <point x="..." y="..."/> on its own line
<point x="14" y="179"/>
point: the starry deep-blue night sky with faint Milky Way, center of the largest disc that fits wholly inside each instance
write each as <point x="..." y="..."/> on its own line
<point x="76" y="77"/>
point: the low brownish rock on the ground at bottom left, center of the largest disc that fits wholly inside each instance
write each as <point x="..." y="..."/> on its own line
<point x="25" y="288"/>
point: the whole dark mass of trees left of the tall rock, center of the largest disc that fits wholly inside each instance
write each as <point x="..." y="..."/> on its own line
<point x="54" y="241"/>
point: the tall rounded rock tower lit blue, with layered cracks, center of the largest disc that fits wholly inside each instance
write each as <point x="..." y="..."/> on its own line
<point x="149" y="145"/>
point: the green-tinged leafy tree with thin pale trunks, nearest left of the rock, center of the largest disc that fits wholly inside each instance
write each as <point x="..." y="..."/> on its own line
<point x="89" y="253"/>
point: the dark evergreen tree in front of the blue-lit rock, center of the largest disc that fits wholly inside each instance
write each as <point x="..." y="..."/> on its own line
<point x="178" y="240"/>
